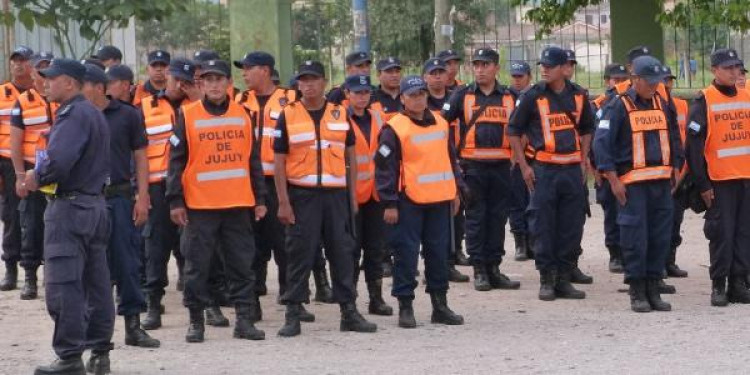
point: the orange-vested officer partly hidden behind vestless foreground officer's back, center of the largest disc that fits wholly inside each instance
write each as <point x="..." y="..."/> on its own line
<point x="31" y="119"/>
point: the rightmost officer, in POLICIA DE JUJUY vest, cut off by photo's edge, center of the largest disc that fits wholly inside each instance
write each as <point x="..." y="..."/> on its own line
<point x="719" y="161"/>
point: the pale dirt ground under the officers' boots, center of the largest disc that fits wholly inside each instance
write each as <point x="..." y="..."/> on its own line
<point x="505" y="332"/>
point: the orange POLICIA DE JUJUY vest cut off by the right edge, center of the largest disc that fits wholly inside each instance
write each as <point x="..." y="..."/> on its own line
<point x="727" y="149"/>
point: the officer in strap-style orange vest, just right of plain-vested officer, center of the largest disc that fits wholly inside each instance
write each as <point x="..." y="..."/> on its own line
<point x="483" y="109"/>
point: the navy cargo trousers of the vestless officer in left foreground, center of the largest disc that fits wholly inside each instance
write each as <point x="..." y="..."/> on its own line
<point x="77" y="285"/>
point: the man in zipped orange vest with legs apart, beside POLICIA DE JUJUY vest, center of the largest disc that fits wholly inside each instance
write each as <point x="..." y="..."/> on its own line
<point x="313" y="140"/>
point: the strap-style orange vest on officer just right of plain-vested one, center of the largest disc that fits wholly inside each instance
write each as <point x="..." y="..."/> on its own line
<point x="497" y="115"/>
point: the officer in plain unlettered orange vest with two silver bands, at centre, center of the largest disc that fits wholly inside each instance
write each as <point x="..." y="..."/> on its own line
<point x="417" y="180"/>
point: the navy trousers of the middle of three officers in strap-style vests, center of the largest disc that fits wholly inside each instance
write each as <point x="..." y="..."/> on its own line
<point x="556" y="215"/>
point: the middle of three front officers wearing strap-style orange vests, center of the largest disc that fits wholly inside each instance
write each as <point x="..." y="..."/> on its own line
<point x="558" y="122"/>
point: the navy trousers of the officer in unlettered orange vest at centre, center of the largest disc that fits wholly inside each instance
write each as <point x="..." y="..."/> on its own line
<point x="426" y="225"/>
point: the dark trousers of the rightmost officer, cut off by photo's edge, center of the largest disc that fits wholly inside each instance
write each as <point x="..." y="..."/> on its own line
<point x="727" y="229"/>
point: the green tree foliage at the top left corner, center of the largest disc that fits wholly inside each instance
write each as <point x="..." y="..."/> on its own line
<point x="93" y="17"/>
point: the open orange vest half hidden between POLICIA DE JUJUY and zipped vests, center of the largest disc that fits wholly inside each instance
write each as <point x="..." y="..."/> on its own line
<point x="265" y="126"/>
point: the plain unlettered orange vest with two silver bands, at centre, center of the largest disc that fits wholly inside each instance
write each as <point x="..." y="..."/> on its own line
<point x="426" y="169"/>
